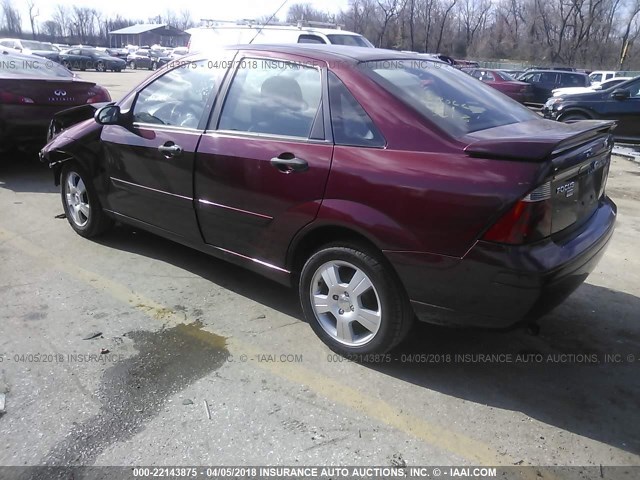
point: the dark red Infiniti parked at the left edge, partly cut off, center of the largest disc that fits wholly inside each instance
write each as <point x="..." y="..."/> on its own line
<point x="31" y="93"/>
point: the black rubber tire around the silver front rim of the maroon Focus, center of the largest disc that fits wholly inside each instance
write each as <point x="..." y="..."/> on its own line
<point x="97" y="221"/>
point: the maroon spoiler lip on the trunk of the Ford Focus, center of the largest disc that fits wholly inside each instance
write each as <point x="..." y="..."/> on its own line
<point x="535" y="148"/>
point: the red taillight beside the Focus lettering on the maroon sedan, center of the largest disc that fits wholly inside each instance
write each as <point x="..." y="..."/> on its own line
<point x="527" y="221"/>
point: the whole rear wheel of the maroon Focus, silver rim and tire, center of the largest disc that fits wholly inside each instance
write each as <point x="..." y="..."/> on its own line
<point x="353" y="301"/>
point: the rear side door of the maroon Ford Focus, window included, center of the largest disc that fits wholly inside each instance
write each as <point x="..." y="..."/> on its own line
<point x="263" y="163"/>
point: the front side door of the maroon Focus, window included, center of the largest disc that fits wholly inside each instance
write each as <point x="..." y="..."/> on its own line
<point x="150" y="163"/>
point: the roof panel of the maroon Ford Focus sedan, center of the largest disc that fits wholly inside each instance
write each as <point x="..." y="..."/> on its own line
<point x="336" y="52"/>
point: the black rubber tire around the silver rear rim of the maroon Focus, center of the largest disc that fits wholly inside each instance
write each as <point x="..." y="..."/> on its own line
<point x="397" y="315"/>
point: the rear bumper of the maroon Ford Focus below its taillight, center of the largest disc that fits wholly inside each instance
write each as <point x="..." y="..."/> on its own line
<point x="499" y="285"/>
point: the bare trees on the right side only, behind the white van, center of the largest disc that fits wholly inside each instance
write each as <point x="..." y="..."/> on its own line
<point x="581" y="33"/>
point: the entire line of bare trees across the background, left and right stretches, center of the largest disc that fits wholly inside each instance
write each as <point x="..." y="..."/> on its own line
<point x="583" y="33"/>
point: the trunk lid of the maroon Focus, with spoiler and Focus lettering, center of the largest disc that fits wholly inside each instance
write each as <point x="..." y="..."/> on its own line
<point x="574" y="157"/>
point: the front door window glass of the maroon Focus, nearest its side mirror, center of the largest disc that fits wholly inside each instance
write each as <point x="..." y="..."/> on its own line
<point x="179" y="97"/>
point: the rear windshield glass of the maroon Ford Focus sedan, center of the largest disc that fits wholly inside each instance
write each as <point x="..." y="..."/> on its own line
<point x="449" y="98"/>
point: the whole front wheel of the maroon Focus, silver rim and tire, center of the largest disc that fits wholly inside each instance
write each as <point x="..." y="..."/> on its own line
<point x="80" y="202"/>
